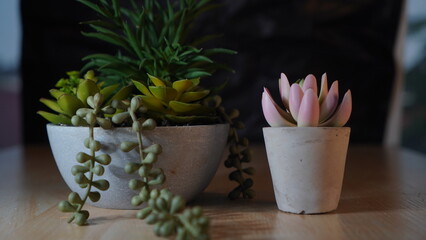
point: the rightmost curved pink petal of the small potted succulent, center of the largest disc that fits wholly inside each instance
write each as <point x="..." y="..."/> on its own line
<point x="341" y="117"/>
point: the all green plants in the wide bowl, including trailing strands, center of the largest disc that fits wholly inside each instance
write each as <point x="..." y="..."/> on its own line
<point x="153" y="78"/>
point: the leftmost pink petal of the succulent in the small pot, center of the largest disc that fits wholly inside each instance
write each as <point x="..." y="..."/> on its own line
<point x="273" y="113"/>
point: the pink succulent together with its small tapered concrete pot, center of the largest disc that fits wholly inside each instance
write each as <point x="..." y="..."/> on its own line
<point x="307" y="144"/>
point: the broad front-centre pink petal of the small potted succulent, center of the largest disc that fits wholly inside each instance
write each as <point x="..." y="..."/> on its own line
<point x="309" y="110"/>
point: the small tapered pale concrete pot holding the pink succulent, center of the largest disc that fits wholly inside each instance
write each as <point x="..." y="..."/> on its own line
<point x="307" y="166"/>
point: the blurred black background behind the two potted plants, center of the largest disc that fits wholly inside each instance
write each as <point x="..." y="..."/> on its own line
<point x="353" y="41"/>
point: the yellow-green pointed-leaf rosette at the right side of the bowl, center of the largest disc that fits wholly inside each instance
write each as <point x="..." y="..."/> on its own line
<point x="179" y="102"/>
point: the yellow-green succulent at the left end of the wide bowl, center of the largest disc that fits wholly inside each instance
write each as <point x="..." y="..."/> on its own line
<point x="73" y="94"/>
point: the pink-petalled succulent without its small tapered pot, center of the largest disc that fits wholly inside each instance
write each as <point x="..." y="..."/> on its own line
<point x="304" y="107"/>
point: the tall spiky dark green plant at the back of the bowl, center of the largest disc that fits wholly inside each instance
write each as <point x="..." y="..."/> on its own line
<point x="150" y="37"/>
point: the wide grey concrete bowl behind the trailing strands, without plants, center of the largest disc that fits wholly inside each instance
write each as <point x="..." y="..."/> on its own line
<point x="190" y="158"/>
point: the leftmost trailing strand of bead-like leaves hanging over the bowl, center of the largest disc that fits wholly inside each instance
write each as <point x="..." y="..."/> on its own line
<point x="91" y="164"/>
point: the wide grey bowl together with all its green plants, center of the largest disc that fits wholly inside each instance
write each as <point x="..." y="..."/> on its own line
<point x="153" y="136"/>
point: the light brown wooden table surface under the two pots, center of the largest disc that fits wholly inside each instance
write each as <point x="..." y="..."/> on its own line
<point x="383" y="197"/>
